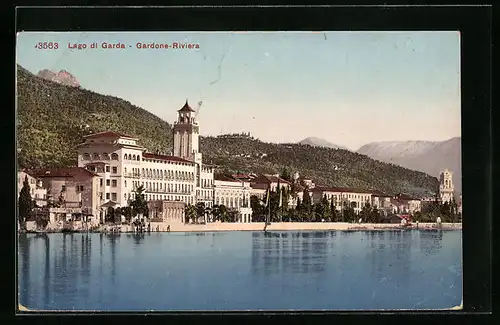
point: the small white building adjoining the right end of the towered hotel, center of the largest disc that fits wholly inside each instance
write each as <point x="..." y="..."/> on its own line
<point x="234" y="194"/>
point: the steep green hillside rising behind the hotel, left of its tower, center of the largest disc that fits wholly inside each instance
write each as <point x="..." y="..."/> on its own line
<point x="53" y="118"/>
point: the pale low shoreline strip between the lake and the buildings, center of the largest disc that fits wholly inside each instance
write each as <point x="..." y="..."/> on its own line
<point x="283" y="226"/>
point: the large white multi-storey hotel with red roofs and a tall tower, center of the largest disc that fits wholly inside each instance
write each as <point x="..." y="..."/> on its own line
<point x="123" y="165"/>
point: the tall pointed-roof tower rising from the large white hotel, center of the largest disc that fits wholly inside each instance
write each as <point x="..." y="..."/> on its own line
<point x="186" y="134"/>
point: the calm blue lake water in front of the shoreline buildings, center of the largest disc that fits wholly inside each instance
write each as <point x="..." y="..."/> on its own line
<point x="339" y="270"/>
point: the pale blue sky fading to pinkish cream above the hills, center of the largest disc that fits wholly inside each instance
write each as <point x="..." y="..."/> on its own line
<point x="349" y="88"/>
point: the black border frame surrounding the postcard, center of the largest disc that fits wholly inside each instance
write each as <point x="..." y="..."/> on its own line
<point x="474" y="24"/>
